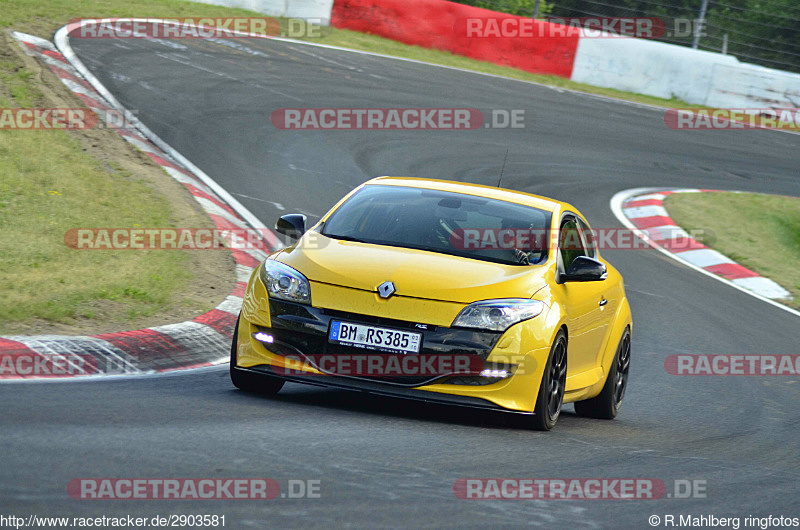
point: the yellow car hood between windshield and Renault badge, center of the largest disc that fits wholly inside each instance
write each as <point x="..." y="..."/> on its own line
<point x="415" y="273"/>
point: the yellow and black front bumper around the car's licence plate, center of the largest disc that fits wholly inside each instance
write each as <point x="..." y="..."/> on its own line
<point x="298" y="330"/>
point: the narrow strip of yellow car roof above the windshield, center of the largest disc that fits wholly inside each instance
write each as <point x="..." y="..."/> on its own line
<point x="518" y="197"/>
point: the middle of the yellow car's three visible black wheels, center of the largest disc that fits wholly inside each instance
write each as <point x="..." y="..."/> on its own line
<point x="551" y="390"/>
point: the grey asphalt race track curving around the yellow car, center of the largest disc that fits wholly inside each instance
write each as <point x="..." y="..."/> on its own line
<point x="385" y="462"/>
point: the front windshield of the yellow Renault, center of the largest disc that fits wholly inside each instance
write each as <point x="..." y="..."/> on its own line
<point x="444" y="222"/>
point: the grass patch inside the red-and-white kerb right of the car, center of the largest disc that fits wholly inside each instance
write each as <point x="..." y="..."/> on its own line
<point x="761" y="232"/>
